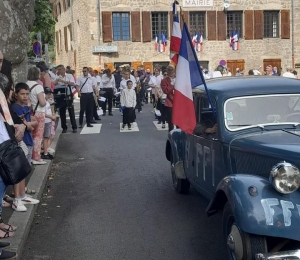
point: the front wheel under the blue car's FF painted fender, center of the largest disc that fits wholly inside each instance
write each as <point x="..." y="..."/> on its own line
<point x="240" y="245"/>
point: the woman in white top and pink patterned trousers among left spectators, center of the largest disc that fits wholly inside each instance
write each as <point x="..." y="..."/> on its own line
<point x="38" y="102"/>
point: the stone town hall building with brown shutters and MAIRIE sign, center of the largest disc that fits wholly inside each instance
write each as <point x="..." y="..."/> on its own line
<point x="101" y="33"/>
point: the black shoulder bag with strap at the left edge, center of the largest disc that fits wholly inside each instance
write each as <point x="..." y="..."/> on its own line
<point x="14" y="166"/>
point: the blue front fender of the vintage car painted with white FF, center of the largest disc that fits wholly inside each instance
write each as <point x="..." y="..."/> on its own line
<point x="257" y="207"/>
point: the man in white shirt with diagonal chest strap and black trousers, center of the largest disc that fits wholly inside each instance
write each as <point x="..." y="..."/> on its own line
<point x="86" y="85"/>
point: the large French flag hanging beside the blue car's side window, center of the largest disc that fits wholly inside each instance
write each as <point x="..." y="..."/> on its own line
<point x="189" y="76"/>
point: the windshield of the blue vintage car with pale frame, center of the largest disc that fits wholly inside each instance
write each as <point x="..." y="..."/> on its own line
<point x="259" y="111"/>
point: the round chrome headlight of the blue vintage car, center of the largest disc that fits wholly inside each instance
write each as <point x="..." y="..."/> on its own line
<point x="285" y="177"/>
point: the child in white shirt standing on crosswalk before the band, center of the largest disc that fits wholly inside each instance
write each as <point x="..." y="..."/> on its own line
<point x="128" y="101"/>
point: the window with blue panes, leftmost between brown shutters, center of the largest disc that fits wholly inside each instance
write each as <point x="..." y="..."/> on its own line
<point x="121" y="27"/>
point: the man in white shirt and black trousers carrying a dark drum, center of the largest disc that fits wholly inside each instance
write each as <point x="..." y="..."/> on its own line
<point x="67" y="80"/>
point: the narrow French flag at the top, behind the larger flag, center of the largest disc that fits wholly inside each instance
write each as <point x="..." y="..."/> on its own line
<point x="175" y="37"/>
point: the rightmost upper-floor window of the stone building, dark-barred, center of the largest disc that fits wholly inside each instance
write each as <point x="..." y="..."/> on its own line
<point x="271" y="24"/>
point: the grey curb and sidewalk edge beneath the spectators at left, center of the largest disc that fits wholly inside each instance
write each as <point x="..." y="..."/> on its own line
<point x="24" y="220"/>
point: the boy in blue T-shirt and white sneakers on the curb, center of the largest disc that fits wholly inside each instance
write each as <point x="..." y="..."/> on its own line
<point x="21" y="108"/>
